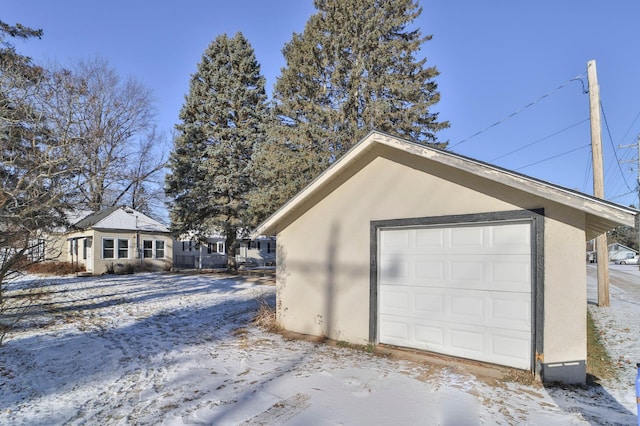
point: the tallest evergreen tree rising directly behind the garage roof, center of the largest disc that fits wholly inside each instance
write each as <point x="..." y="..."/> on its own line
<point x="352" y="70"/>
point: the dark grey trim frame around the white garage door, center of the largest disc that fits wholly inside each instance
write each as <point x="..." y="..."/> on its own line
<point x="536" y="218"/>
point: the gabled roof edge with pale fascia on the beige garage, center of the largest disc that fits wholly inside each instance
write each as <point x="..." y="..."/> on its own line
<point x="601" y="215"/>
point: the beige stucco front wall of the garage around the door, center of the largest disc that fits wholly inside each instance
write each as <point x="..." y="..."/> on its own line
<point x="324" y="255"/>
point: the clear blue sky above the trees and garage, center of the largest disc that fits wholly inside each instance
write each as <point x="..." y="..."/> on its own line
<point x="497" y="59"/>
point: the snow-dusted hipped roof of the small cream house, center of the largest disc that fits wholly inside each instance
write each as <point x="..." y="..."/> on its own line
<point x="121" y="218"/>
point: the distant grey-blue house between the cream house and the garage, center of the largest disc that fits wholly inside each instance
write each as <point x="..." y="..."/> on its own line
<point x="192" y="254"/>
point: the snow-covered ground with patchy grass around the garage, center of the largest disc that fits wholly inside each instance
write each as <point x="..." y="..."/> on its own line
<point x="181" y="349"/>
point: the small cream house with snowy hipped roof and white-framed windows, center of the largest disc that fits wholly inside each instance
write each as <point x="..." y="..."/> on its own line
<point x="118" y="239"/>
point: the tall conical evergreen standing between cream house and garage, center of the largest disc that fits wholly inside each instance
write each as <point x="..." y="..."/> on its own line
<point x="223" y="117"/>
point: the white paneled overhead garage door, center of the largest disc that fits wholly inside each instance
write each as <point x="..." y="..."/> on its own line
<point x="458" y="290"/>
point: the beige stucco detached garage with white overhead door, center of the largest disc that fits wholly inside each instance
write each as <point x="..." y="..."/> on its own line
<point x="401" y="244"/>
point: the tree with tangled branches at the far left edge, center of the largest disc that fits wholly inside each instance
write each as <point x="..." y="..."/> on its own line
<point x="36" y="170"/>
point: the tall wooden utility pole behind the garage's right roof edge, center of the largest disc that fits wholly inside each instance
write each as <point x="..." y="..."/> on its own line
<point x="602" y="250"/>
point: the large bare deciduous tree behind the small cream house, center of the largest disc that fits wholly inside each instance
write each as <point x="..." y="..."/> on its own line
<point x="111" y="121"/>
